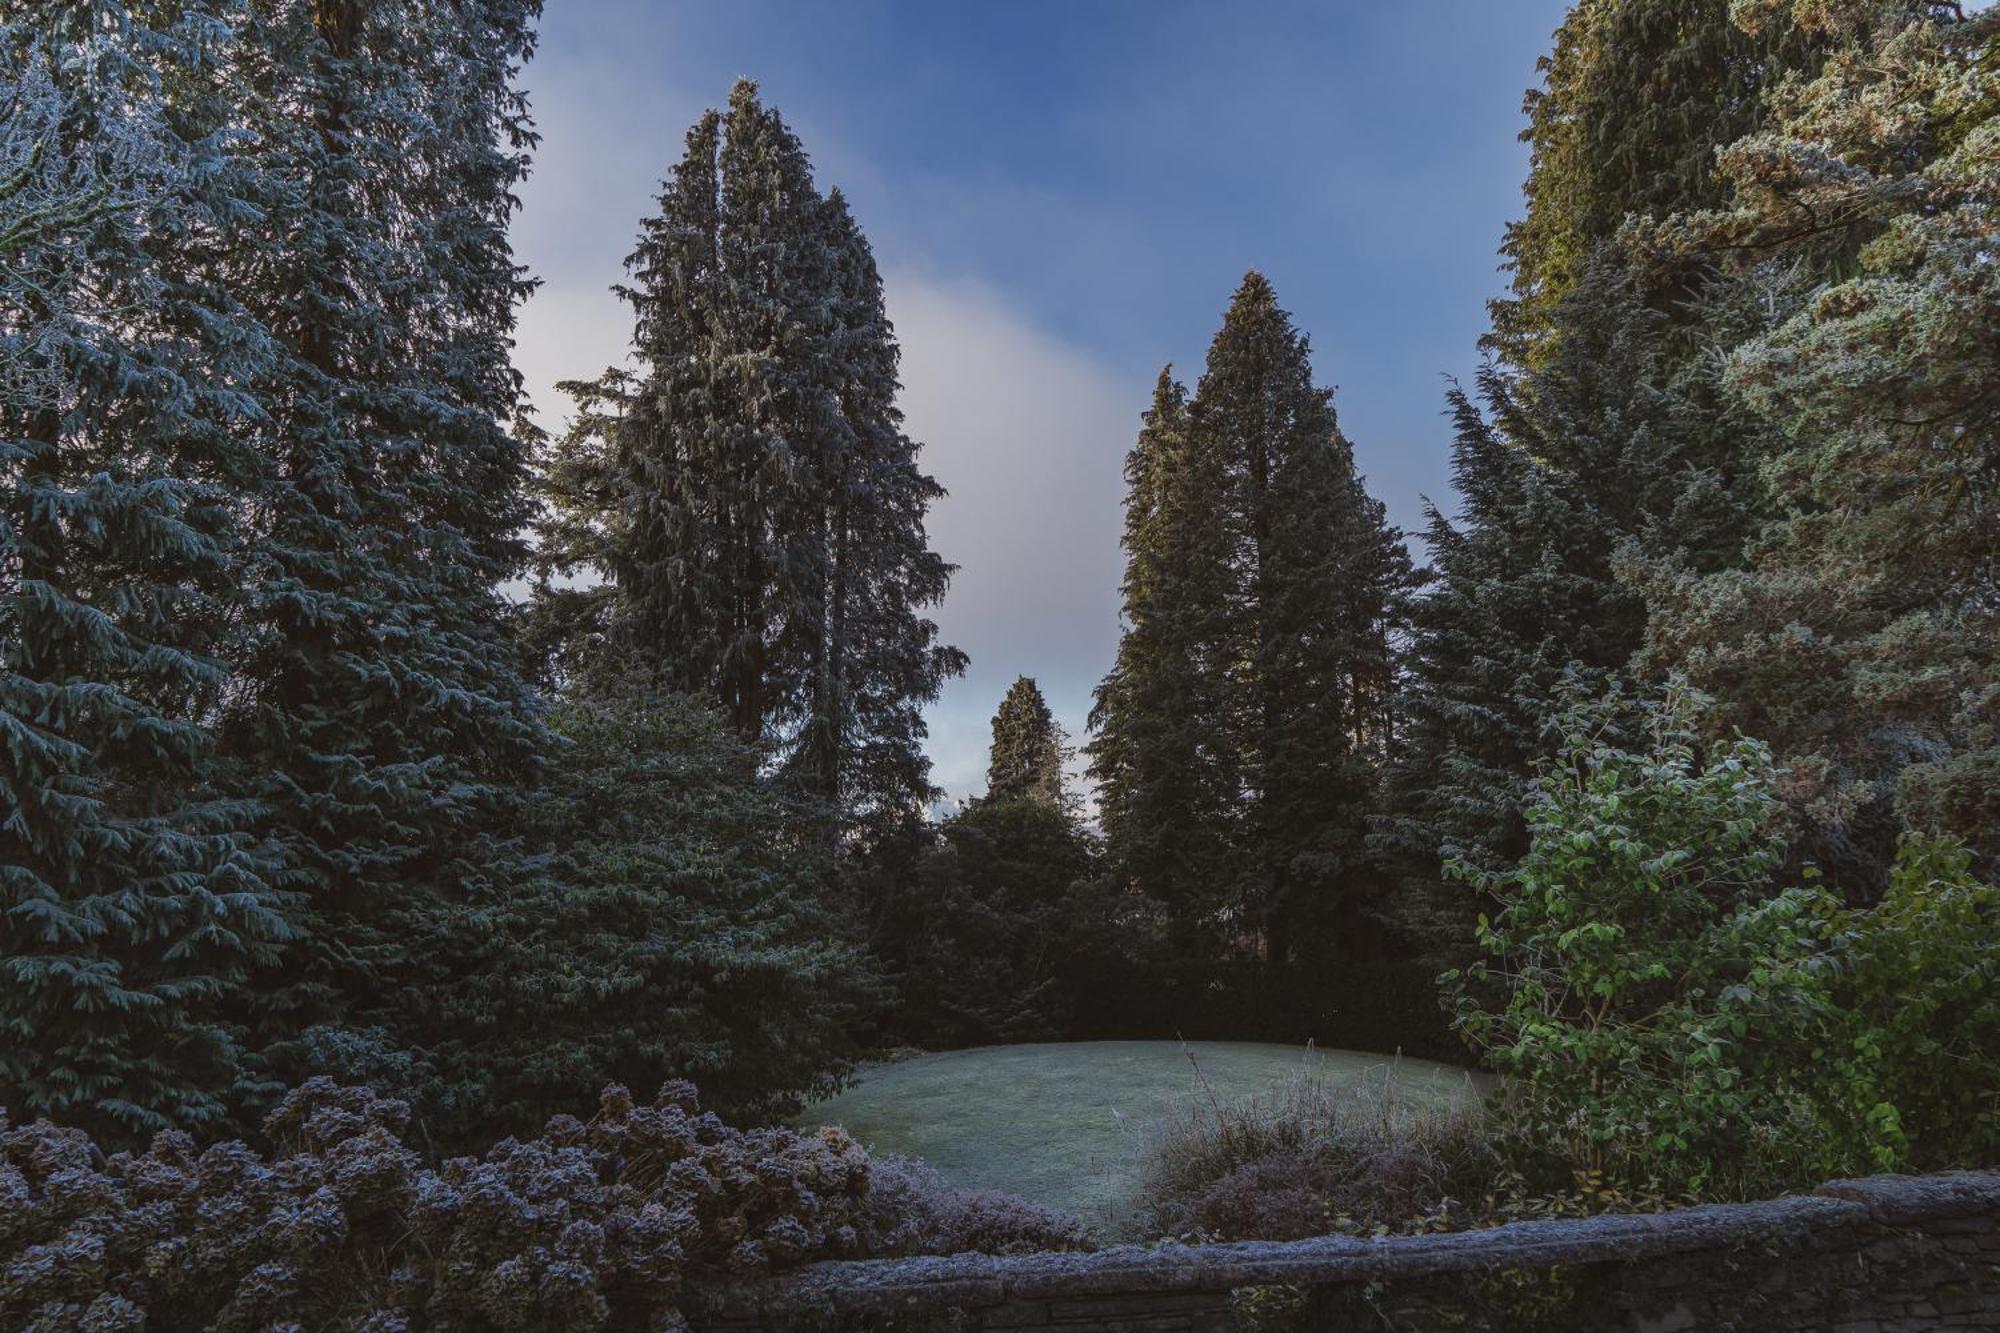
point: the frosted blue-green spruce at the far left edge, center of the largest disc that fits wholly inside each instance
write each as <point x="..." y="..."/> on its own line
<point x="133" y="896"/>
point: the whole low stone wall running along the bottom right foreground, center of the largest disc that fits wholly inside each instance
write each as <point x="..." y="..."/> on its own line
<point x="1877" y="1256"/>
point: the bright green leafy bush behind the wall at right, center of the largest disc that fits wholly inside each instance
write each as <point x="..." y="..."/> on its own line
<point x="1667" y="1014"/>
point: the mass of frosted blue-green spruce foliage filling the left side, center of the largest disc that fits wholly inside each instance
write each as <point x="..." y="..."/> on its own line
<point x="261" y="708"/>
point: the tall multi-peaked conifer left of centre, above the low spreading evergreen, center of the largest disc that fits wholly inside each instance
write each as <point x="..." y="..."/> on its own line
<point x="749" y="499"/>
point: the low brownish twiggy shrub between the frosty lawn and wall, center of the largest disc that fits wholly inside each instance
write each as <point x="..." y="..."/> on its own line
<point x="1317" y="1158"/>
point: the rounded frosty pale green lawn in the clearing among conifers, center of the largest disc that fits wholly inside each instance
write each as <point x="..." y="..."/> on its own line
<point x="1069" y="1124"/>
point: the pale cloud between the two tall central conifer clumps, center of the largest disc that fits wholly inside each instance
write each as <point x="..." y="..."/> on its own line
<point x="1029" y="435"/>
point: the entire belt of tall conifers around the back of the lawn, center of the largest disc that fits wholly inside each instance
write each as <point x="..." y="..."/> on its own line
<point x="289" y="788"/>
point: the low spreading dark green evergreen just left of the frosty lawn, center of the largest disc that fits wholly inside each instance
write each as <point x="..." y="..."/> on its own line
<point x="679" y="926"/>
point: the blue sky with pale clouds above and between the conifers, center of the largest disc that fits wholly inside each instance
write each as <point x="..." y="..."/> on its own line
<point x="1063" y="197"/>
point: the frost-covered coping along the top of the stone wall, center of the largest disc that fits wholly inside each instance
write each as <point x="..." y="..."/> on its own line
<point x="975" y="1282"/>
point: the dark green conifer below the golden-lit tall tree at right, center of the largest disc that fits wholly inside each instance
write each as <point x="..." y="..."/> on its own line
<point x="1615" y="449"/>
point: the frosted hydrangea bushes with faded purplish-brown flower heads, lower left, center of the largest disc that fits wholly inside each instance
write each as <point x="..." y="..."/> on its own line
<point x="593" y="1226"/>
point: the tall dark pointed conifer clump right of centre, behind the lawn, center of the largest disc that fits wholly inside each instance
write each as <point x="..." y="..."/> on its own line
<point x="1243" y="728"/>
